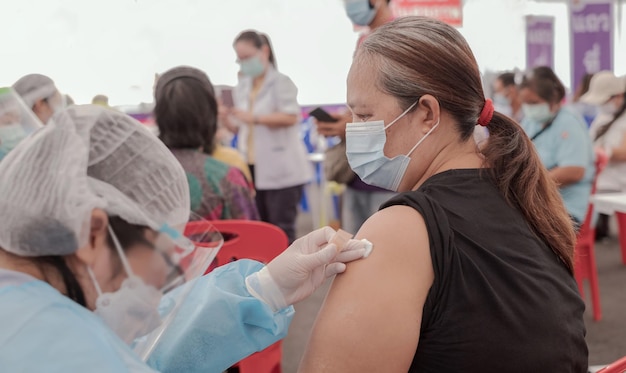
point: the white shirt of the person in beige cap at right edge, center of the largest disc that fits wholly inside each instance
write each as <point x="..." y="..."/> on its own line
<point x="613" y="178"/>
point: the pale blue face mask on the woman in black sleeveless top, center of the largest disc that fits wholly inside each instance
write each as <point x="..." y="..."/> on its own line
<point x="365" y="143"/>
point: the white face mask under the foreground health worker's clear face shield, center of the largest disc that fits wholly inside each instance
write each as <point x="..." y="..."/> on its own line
<point x="131" y="311"/>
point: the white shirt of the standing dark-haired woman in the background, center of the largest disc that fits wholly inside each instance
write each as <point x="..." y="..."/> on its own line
<point x="280" y="156"/>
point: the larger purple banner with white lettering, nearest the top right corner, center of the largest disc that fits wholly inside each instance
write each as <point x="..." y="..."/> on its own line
<point x="591" y="36"/>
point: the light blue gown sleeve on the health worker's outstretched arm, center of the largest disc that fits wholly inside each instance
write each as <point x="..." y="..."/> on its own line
<point x="219" y="324"/>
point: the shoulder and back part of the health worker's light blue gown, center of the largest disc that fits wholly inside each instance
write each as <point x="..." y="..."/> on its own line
<point x="44" y="331"/>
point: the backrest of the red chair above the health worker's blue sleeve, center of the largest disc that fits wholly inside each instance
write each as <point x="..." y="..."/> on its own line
<point x="246" y="239"/>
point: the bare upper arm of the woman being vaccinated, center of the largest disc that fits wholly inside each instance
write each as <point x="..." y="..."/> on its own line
<point x="371" y="318"/>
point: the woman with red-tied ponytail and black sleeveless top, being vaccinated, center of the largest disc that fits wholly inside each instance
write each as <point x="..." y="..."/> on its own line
<point x="474" y="257"/>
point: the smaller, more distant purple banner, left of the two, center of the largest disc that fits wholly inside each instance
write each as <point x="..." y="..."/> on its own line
<point x="539" y="41"/>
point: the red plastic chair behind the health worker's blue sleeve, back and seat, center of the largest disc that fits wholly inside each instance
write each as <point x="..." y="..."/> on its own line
<point x="260" y="241"/>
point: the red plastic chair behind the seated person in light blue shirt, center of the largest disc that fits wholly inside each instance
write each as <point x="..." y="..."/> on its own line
<point x="585" y="258"/>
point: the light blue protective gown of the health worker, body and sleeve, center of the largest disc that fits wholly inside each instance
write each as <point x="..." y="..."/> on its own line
<point x="219" y="323"/>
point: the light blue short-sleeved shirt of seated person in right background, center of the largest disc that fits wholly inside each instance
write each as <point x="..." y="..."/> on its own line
<point x="567" y="143"/>
